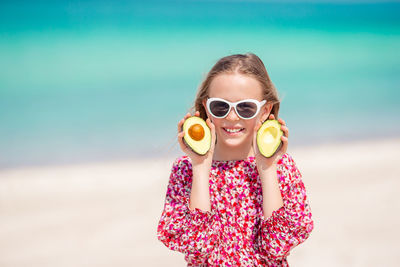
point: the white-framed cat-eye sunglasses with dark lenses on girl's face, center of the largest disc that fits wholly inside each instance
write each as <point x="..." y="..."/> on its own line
<point x="245" y="109"/>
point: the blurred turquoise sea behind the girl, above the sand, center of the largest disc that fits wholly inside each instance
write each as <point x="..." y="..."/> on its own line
<point x="100" y="80"/>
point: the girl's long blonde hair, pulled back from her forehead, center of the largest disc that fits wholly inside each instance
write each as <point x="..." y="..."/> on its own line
<point x="246" y="64"/>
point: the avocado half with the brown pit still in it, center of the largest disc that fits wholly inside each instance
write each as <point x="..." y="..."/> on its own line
<point x="197" y="135"/>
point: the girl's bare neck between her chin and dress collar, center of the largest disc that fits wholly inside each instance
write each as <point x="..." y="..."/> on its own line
<point x="223" y="152"/>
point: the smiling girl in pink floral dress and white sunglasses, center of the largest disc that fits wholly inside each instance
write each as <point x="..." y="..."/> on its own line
<point x="233" y="206"/>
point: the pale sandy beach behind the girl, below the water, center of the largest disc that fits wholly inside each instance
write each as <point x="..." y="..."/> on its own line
<point x="106" y="214"/>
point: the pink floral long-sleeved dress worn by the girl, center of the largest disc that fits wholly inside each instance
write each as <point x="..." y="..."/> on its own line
<point x="235" y="232"/>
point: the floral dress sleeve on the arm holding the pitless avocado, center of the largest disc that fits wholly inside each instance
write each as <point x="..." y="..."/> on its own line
<point x="291" y="224"/>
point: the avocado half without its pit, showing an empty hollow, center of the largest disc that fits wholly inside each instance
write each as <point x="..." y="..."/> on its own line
<point x="269" y="138"/>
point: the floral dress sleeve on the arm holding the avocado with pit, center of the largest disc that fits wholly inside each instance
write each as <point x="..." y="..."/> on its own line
<point x="188" y="231"/>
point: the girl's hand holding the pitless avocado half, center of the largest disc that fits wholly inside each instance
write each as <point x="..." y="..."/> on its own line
<point x="262" y="162"/>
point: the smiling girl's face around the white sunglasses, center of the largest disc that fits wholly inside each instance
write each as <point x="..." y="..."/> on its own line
<point x="232" y="131"/>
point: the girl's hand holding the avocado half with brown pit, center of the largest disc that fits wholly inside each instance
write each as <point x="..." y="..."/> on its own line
<point x="196" y="158"/>
